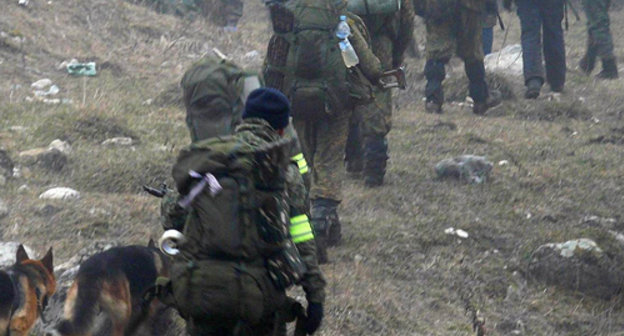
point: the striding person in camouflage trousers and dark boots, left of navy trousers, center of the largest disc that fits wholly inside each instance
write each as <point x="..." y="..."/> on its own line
<point x="455" y="26"/>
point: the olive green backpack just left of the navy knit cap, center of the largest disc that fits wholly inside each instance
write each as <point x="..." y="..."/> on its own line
<point x="214" y="90"/>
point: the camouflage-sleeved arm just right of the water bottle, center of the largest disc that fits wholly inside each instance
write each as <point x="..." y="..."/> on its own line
<point x="369" y="63"/>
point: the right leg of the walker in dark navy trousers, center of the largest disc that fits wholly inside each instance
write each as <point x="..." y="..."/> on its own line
<point x="554" y="47"/>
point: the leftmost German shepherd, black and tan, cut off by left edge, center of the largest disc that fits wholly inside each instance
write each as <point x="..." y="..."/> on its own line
<point x="24" y="291"/>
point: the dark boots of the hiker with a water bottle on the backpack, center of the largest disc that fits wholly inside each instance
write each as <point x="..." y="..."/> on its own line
<point x="326" y="224"/>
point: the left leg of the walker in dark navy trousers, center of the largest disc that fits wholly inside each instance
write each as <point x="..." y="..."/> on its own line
<point x="531" y="28"/>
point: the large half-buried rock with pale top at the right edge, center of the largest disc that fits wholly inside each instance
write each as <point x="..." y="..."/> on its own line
<point x="579" y="265"/>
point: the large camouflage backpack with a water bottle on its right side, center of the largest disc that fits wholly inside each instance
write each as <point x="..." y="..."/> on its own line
<point x="303" y="59"/>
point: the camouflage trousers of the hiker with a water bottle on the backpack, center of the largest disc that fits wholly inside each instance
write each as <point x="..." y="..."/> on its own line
<point x="323" y="139"/>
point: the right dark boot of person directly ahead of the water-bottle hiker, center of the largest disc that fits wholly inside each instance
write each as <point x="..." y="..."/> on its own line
<point x="375" y="157"/>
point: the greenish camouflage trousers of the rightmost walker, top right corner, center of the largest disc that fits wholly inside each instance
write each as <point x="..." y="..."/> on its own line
<point x="598" y="31"/>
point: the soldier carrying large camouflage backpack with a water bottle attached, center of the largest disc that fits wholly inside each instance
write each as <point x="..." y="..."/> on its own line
<point x="317" y="86"/>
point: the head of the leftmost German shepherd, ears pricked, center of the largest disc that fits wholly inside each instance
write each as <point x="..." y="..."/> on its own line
<point x="40" y="273"/>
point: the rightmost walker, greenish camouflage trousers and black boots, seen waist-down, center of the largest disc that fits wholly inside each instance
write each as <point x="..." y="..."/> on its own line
<point x="599" y="40"/>
